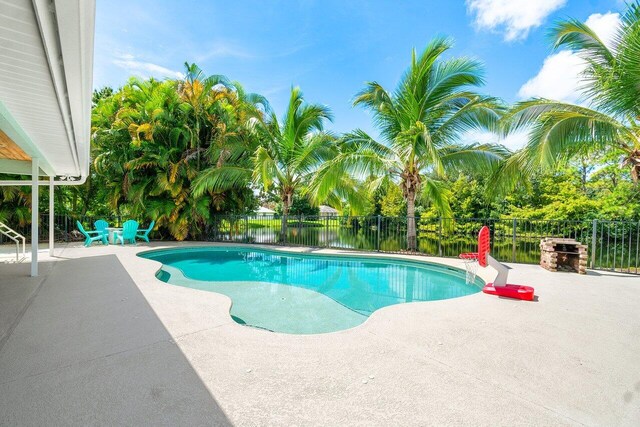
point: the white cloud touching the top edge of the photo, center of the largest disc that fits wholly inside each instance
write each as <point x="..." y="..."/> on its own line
<point x="513" y="17"/>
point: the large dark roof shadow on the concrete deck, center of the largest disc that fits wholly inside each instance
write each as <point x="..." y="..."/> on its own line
<point x="83" y="346"/>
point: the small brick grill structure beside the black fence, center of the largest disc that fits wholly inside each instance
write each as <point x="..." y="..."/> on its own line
<point x="563" y="255"/>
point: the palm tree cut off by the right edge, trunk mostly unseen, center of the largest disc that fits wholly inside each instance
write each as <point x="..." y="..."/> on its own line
<point x="608" y="120"/>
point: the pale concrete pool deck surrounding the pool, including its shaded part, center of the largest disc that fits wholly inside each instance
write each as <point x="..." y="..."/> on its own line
<point x="97" y="339"/>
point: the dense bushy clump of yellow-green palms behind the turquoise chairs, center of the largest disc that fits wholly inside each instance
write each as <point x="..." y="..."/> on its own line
<point x="152" y="139"/>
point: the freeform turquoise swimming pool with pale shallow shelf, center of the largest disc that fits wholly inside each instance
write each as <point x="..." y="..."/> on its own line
<point x="304" y="293"/>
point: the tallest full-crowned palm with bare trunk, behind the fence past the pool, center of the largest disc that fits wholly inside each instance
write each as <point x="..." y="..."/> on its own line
<point x="421" y="122"/>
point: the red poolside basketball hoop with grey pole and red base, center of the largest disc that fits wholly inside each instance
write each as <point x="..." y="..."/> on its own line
<point x="499" y="286"/>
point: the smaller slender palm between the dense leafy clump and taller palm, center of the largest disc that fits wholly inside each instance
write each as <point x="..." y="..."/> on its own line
<point x="288" y="155"/>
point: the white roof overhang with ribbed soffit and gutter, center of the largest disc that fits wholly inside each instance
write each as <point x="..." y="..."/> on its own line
<point x="46" y="72"/>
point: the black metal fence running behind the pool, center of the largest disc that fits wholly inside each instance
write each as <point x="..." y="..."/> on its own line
<point x="613" y="245"/>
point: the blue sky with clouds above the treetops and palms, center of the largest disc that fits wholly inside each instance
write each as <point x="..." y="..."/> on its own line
<point x="330" y="48"/>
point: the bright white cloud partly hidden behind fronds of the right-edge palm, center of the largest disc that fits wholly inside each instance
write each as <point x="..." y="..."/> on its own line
<point x="559" y="77"/>
